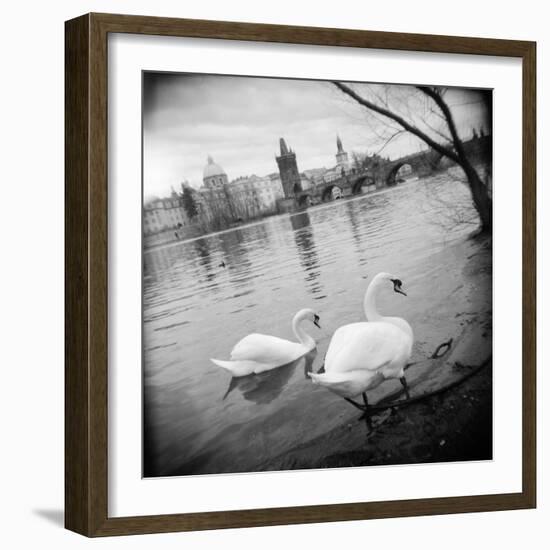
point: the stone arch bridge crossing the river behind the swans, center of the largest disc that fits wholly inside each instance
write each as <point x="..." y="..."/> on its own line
<point x="384" y="174"/>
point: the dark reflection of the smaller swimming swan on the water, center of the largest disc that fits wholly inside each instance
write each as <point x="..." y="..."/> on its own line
<point x="263" y="388"/>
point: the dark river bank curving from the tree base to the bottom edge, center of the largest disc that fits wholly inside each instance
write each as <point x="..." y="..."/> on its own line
<point x="453" y="424"/>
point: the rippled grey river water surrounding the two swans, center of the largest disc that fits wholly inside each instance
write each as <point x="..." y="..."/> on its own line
<point x="201" y="296"/>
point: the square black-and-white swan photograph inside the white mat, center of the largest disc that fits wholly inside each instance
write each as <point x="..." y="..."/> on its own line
<point x="316" y="274"/>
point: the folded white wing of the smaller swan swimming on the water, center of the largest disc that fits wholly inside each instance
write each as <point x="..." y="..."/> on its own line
<point x="265" y="349"/>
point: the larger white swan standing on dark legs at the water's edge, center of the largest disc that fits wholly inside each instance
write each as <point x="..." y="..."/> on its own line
<point x="362" y="355"/>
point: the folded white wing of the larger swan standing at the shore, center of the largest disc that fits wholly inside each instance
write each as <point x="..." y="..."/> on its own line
<point x="366" y="346"/>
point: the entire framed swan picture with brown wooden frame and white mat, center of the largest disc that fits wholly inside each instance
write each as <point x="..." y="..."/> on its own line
<point x="300" y="275"/>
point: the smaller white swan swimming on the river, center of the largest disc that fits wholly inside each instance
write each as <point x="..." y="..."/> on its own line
<point x="257" y="353"/>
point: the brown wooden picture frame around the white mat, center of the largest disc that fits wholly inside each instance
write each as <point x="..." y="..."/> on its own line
<point x="86" y="283"/>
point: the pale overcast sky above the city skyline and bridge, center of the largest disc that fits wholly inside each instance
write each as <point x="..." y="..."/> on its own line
<point x="239" y="120"/>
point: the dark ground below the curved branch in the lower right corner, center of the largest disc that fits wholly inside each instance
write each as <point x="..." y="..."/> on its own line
<point x="454" y="426"/>
